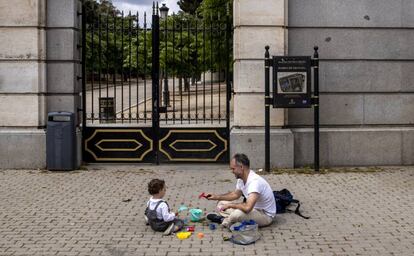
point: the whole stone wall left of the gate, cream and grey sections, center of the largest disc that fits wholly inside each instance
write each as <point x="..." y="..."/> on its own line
<point x="39" y="62"/>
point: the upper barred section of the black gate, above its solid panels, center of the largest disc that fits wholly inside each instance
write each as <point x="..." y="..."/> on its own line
<point x="188" y="59"/>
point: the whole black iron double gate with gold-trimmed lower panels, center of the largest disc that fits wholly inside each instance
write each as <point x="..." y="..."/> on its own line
<point x="155" y="93"/>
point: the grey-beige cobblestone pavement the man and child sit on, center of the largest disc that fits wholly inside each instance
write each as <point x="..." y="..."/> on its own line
<point x="88" y="212"/>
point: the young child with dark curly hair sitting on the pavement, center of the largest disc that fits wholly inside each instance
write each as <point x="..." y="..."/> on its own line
<point x="157" y="213"/>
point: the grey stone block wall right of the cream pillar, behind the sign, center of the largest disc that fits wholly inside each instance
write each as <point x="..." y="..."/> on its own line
<point x="366" y="80"/>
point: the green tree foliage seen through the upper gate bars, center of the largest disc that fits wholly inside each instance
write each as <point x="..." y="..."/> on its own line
<point x="191" y="44"/>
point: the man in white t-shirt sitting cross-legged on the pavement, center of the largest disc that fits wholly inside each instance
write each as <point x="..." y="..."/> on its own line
<point x="259" y="205"/>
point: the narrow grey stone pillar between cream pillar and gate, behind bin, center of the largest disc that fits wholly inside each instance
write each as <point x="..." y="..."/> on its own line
<point x="64" y="69"/>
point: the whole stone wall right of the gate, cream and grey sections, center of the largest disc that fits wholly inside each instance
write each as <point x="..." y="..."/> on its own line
<point x="366" y="80"/>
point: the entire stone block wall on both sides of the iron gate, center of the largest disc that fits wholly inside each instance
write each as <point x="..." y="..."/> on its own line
<point x="366" y="78"/>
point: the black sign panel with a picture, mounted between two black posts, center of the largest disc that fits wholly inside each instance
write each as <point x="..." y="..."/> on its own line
<point x="291" y="82"/>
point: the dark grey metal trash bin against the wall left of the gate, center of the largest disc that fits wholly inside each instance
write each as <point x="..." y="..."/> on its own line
<point x="61" y="141"/>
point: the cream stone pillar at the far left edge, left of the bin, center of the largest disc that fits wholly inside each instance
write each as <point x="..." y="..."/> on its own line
<point x="22" y="83"/>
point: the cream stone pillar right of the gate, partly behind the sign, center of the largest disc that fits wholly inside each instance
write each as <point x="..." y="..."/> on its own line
<point x="255" y="26"/>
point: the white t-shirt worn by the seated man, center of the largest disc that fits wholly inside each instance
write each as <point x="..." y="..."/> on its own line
<point x="257" y="184"/>
